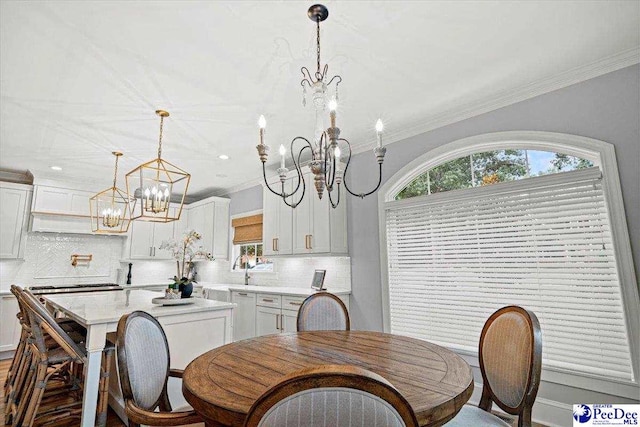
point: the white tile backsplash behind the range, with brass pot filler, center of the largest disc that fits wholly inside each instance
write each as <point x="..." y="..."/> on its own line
<point x="47" y="260"/>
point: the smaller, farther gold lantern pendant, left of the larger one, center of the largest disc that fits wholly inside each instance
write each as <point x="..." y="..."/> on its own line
<point x="111" y="209"/>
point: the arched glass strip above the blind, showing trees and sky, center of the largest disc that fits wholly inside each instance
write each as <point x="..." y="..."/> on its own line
<point x="490" y="167"/>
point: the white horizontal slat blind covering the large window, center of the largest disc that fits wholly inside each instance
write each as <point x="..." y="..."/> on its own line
<point x="543" y="243"/>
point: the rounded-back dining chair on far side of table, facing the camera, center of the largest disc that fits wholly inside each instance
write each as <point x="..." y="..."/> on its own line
<point x="323" y="311"/>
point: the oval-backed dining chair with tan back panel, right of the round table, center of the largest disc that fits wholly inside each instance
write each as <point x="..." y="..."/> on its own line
<point x="510" y="356"/>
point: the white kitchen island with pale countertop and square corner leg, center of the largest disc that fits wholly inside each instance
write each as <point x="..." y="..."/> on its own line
<point x="191" y="330"/>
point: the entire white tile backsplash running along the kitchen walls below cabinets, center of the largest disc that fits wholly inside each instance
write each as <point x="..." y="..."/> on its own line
<point x="47" y="261"/>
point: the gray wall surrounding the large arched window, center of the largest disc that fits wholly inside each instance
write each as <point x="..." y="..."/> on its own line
<point x="605" y="108"/>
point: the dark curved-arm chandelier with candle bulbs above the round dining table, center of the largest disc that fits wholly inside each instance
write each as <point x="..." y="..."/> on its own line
<point x="326" y="165"/>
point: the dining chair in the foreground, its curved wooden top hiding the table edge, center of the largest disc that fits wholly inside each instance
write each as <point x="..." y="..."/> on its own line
<point x="332" y="395"/>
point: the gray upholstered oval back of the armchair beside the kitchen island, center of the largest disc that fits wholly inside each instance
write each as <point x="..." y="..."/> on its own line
<point x="143" y="361"/>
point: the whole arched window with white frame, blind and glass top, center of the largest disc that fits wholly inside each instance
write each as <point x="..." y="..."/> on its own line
<point x="536" y="220"/>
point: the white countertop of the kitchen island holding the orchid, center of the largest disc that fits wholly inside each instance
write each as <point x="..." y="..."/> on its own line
<point x="105" y="307"/>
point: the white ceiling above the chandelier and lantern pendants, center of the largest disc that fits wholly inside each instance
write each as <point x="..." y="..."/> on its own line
<point x="81" y="79"/>
